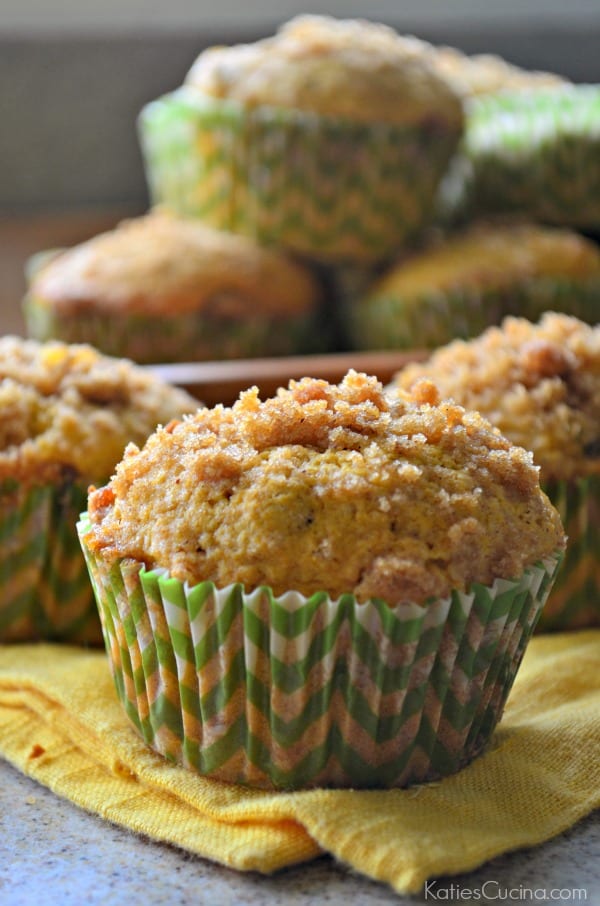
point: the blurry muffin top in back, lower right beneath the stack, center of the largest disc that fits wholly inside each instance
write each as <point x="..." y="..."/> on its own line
<point x="492" y="256"/>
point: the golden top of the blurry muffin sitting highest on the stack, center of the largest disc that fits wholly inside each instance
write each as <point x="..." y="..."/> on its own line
<point x="354" y="69"/>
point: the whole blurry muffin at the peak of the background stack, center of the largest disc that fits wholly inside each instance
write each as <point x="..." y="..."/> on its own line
<point x="328" y="138"/>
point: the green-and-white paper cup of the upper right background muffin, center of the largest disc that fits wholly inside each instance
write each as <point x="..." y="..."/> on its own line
<point x="536" y="154"/>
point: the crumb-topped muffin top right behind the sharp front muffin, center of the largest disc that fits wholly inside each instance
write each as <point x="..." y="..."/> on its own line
<point x="538" y="383"/>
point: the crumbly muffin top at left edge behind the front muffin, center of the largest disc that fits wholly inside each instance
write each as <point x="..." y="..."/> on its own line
<point x="69" y="411"/>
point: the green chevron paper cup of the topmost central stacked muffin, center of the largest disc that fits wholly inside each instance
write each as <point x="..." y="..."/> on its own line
<point x="321" y="186"/>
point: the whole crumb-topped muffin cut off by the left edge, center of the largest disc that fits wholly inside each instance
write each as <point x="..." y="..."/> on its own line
<point x="67" y="415"/>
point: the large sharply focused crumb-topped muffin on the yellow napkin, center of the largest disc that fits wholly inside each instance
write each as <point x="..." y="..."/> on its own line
<point x="322" y="589"/>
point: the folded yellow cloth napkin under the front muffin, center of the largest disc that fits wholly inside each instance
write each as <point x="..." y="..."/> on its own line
<point x="60" y="722"/>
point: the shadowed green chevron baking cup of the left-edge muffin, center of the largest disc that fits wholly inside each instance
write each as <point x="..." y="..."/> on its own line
<point x="44" y="586"/>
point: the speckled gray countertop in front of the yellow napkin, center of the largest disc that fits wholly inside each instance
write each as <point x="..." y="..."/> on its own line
<point x="52" y="852"/>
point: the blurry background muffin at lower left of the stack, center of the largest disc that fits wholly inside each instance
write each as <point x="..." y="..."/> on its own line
<point x="162" y="289"/>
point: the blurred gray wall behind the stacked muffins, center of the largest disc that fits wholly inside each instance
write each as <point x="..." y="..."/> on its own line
<point x="73" y="75"/>
